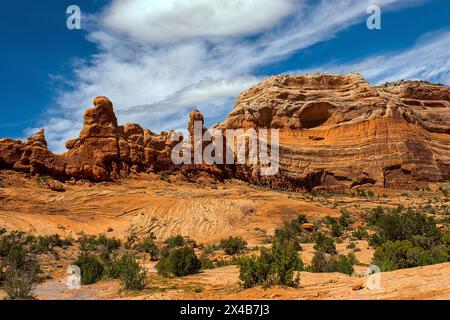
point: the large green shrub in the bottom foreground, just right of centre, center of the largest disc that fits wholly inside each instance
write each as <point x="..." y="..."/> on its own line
<point x="273" y="267"/>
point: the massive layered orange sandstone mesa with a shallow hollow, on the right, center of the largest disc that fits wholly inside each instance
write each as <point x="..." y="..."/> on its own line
<point x="340" y="132"/>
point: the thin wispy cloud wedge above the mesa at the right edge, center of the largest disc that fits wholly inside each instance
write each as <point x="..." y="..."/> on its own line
<point x="428" y="59"/>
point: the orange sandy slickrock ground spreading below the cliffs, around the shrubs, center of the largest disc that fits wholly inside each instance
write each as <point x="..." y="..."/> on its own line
<point x="205" y="212"/>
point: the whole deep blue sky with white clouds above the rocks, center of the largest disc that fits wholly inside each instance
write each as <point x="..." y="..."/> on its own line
<point x="157" y="60"/>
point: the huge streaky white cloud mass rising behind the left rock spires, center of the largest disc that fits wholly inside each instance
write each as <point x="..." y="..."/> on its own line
<point x="167" y="57"/>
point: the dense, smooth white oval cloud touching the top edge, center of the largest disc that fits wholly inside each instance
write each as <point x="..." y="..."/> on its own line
<point x="175" y="20"/>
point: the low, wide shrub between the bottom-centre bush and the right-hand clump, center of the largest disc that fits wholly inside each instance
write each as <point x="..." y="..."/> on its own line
<point x="323" y="262"/>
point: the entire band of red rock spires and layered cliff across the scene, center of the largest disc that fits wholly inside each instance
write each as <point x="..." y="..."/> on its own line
<point x="336" y="132"/>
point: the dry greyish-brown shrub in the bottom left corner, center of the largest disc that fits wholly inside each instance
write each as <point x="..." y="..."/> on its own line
<point x="21" y="275"/>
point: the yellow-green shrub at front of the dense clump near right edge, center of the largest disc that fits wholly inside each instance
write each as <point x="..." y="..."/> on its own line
<point x="402" y="254"/>
